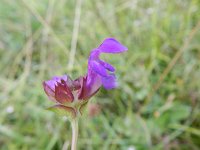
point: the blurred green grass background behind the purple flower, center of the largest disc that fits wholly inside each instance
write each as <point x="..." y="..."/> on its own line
<point x="156" y="105"/>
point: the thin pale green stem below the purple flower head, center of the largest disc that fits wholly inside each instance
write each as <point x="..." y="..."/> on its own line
<point x="74" y="124"/>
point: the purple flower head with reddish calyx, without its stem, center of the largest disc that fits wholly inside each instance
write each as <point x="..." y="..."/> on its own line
<point x="66" y="92"/>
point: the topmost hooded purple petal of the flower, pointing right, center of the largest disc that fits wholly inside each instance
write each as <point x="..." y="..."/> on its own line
<point x="110" y="45"/>
